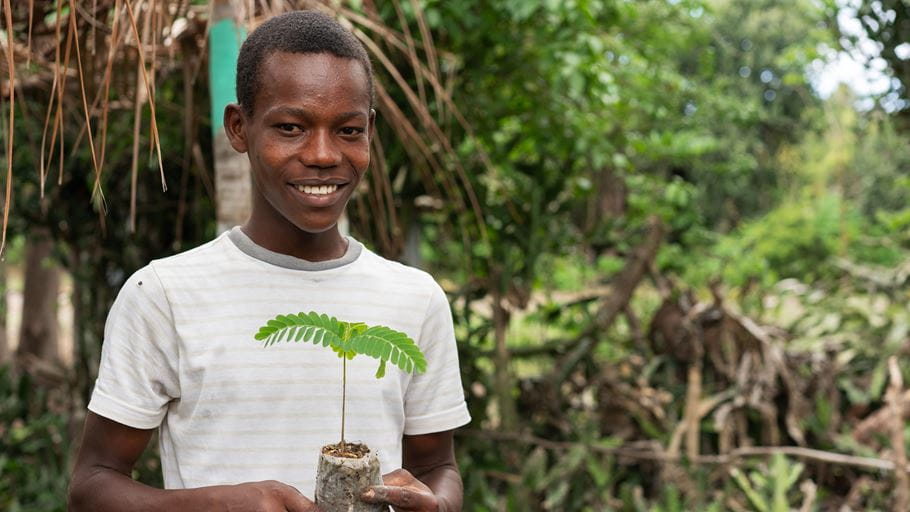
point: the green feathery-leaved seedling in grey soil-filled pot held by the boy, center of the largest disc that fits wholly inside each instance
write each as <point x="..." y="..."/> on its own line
<point x="339" y="483"/>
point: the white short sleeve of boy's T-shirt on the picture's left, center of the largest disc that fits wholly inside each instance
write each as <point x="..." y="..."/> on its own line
<point x="138" y="374"/>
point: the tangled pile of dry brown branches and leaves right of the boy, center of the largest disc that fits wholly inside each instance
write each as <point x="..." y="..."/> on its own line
<point x="712" y="388"/>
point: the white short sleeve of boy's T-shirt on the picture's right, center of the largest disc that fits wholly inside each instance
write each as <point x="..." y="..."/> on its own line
<point x="434" y="401"/>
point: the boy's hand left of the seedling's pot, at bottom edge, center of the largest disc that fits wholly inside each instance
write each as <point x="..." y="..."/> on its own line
<point x="268" y="496"/>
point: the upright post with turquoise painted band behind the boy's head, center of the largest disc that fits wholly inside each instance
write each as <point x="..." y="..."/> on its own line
<point x="232" y="170"/>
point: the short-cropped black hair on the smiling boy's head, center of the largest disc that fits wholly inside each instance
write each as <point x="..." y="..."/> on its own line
<point x="295" y="32"/>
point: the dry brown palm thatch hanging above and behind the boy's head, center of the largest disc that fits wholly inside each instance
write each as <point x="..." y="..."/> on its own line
<point x="80" y="54"/>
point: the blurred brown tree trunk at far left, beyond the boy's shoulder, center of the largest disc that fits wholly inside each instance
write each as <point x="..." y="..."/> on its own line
<point x="38" y="332"/>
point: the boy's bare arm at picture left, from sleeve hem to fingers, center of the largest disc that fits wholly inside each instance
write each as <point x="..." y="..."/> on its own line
<point x="101" y="480"/>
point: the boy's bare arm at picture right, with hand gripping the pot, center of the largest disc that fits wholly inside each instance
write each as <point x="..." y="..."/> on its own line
<point x="429" y="480"/>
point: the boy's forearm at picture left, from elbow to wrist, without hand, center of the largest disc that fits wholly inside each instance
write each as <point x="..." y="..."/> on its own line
<point x="106" y="490"/>
